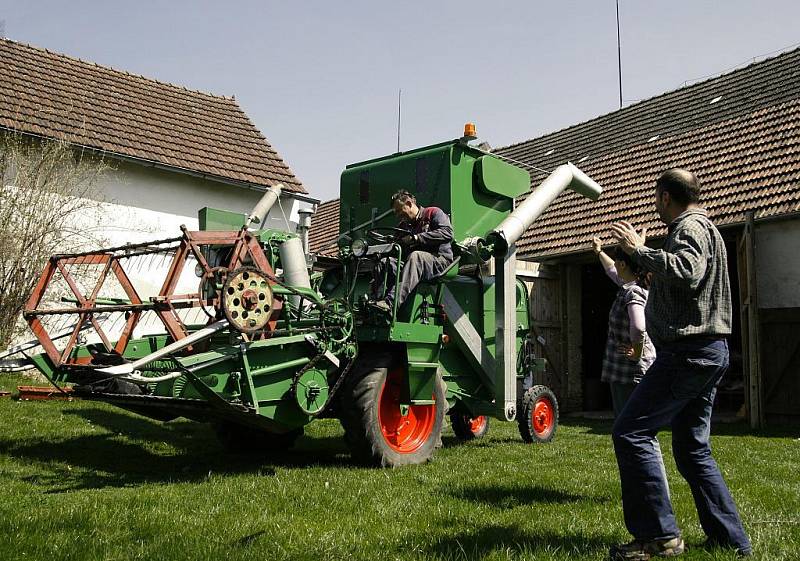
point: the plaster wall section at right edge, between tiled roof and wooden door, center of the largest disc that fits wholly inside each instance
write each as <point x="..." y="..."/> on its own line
<point x="777" y="264"/>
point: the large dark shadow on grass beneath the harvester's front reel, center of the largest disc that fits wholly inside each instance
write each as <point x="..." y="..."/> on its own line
<point x="134" y="450"/>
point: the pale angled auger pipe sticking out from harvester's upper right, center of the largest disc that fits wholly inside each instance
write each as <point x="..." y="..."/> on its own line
<point x="567" y="175"/>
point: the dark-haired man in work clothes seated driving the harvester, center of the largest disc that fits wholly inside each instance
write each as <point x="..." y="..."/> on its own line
<point x="428" y="240"/>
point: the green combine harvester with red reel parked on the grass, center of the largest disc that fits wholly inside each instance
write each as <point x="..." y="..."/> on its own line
<point x="262" y="346"/>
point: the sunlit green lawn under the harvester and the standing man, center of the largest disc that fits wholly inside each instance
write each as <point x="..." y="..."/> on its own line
<point x="83" y="480"/>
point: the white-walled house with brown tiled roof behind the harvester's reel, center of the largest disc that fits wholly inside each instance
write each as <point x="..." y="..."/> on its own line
<point x="173" y="150"/>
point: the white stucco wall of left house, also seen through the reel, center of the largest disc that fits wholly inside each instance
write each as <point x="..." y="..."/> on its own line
<point x="140" y="204"/>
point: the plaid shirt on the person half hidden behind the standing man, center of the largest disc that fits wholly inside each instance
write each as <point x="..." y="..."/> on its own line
<point x="617" y="367"/>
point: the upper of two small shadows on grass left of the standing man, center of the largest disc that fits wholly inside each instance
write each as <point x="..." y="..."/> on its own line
<point x="510" y="496"/>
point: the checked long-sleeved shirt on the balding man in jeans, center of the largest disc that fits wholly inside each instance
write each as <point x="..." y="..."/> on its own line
<point x="690" y="293"/>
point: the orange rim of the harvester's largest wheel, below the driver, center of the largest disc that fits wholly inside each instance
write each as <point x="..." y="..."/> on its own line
<point x="403" y="433"/>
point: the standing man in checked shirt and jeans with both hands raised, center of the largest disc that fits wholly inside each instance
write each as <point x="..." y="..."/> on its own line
<point x="688" y="317"/>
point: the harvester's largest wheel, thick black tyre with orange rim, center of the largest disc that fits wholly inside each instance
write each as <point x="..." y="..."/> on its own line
<point x="375" y="430"/>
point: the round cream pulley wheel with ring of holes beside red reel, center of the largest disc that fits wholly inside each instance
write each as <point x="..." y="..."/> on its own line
<point x="247" y="299"/>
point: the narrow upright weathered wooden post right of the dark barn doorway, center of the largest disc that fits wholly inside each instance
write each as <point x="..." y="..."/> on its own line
<point x="751" y="327"/>
